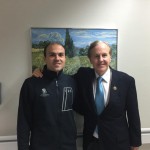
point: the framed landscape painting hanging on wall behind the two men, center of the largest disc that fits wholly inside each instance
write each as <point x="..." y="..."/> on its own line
<point x="76" y="42"/>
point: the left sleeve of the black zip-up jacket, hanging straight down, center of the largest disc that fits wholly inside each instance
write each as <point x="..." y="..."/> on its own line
<point x="24" y="119"/>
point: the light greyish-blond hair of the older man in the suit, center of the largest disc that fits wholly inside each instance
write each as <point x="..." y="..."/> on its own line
<point x="94" y="44"/>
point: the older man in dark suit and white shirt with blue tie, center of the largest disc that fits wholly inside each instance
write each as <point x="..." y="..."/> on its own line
<point x="117" y="126"/>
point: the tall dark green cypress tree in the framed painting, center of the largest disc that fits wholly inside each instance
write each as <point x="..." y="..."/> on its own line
<point x="69" y="46"/>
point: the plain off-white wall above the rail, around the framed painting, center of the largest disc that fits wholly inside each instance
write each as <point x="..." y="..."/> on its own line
<point x="130" y="17"/>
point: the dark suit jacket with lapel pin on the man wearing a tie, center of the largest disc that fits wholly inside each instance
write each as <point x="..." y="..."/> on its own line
<point x="119" y="123"/>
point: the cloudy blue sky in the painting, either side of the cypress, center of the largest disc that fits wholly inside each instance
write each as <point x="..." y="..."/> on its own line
<point x="81" y="37"/>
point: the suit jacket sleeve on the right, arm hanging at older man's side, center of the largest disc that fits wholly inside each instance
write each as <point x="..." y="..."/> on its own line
<point x="133" y="115"/>
